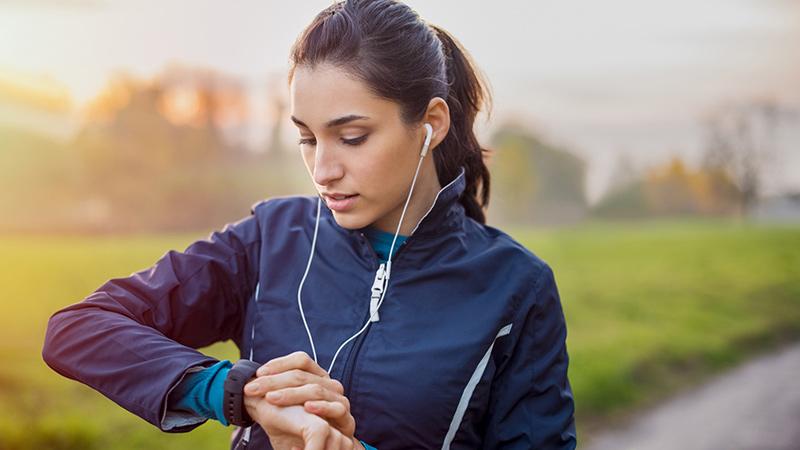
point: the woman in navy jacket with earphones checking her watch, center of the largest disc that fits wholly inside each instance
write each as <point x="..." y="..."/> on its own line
<point x="392" y="317"/>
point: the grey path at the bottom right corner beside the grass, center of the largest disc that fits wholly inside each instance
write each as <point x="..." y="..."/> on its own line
<point x="754" y="407"/>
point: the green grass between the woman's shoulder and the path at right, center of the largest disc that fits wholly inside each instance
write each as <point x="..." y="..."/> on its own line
<point x="657" y="305"/>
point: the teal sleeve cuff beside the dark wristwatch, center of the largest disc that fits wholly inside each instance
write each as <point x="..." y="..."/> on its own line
<point x="202" y="393"/>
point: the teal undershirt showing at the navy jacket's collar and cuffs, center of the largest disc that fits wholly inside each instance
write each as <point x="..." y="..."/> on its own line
<point x="201" y="392"/>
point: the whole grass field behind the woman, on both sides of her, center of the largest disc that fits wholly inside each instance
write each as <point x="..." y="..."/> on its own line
<point x="651" y="307"/>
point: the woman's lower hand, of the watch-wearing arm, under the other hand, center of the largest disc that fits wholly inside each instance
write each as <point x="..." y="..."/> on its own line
<point x="291" y="427"/>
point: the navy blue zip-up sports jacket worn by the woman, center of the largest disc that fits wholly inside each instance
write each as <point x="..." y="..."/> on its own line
<point x="469" y="351"/>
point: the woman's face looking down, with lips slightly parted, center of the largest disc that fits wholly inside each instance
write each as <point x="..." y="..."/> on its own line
<point x="354" y="144"/>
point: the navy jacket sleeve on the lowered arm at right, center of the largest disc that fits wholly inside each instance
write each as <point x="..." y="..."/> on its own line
<point x="531" y="399"/>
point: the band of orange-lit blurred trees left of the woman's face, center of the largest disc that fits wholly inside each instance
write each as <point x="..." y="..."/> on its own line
<point x="161" y="154"/>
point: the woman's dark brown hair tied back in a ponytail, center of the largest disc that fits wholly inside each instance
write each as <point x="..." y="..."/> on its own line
<point x="400" y="57"/>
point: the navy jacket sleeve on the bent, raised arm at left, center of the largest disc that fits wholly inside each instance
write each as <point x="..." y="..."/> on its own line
<point x="134" y="338"/>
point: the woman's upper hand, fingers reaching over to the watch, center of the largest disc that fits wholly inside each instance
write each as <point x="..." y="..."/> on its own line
<point x="295" y="379"/>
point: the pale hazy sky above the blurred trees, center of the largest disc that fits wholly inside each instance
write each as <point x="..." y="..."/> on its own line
<point x="602" y="78"/>
